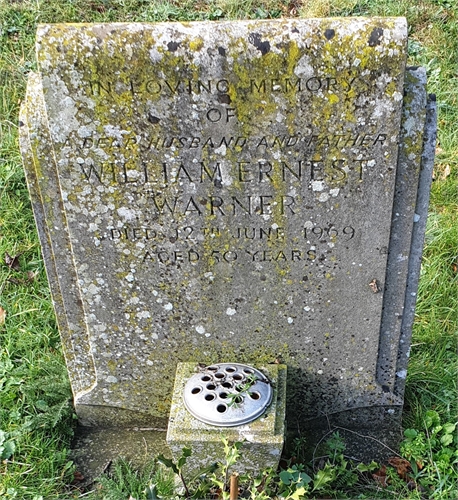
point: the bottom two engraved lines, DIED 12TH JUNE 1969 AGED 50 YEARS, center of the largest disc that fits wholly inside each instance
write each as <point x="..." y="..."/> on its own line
<point x="243" y="238"/>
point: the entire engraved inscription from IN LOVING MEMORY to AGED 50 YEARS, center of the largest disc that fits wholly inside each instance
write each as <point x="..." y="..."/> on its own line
<point x="208" y="197"/>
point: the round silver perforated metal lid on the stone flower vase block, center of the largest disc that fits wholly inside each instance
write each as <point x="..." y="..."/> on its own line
<point x="227" y="394"/>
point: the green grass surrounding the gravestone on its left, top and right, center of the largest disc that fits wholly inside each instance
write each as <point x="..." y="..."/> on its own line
<point x="35" y="400"/>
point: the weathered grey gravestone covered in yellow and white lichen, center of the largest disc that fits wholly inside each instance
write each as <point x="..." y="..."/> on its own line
<point x="232" y="191"/>
